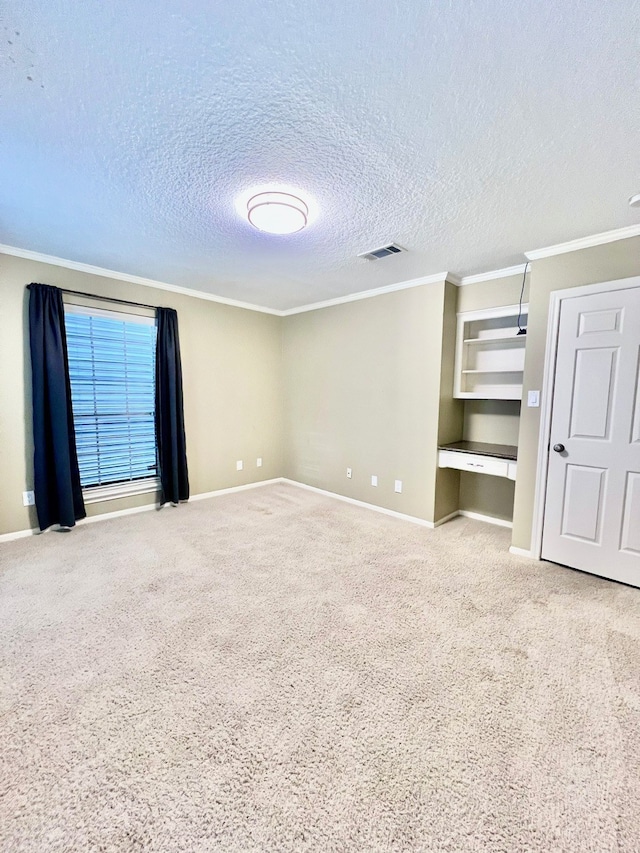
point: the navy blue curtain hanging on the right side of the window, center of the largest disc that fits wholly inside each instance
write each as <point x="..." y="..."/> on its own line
<point x="170" y="436"/>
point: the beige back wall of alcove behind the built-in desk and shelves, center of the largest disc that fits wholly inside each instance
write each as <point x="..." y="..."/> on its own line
<point x="496" y="421"/>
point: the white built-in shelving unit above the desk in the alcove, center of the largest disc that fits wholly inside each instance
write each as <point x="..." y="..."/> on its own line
<point x="490" y="354"/>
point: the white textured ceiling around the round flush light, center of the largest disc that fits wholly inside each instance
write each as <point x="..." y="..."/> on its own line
<point x="465" y="132"/>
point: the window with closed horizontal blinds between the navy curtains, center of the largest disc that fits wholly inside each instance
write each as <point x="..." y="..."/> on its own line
<point x="112" y="373"/>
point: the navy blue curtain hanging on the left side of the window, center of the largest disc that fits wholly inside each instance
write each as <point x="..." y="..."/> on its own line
<point x="56" y="476"/>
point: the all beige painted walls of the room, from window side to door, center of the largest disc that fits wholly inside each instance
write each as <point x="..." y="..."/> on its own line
<point x="365" y="384"/>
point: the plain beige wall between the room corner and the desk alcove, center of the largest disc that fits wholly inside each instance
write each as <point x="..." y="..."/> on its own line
<point x="362" y="390"/>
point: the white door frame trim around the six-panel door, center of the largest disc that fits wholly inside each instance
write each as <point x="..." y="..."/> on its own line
<point x="556" y="298"/>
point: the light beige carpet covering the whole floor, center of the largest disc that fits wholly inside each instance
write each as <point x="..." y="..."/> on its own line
<point x="274" y="670"/>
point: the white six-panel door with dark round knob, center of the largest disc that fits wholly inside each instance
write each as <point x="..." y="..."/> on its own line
<point x="592" y="506"/>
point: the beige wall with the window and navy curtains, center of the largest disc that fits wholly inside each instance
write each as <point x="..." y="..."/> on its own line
<point x="232" y="366"/>
